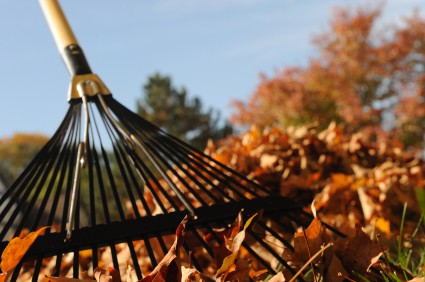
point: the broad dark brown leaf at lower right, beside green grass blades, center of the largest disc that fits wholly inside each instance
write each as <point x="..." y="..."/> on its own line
<point x="357" y="253"/>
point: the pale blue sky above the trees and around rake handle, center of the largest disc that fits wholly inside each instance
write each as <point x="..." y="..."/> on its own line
<point x="216" y="49"/>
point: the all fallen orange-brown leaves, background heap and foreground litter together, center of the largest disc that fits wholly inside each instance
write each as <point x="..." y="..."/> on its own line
<point x="374" y="193"/>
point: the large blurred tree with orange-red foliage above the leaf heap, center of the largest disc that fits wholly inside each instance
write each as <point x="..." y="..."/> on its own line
<point x="363" y="78"/>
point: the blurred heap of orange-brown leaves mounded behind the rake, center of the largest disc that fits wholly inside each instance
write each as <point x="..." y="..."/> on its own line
<point x="352" y="181"/>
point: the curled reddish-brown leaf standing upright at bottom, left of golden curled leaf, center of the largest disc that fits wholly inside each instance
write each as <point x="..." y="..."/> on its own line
<point x="169" y="269"/>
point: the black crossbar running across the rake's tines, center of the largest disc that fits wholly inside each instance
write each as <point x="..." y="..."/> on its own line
<point x="146" y="227"/>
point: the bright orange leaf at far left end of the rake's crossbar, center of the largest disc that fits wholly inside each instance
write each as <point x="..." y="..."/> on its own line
<point x="16" y="249"/>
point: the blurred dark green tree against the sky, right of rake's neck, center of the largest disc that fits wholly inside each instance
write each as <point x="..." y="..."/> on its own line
<point x="173" y="111"/>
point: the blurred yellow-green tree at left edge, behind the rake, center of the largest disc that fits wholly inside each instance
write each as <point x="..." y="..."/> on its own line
<point x="17" y="151"/>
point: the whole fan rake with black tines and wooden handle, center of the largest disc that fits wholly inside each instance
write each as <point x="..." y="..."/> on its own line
<point x="110" y="182"/>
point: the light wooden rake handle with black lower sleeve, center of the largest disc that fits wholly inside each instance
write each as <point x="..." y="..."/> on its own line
<point x="67" y="44"/>
